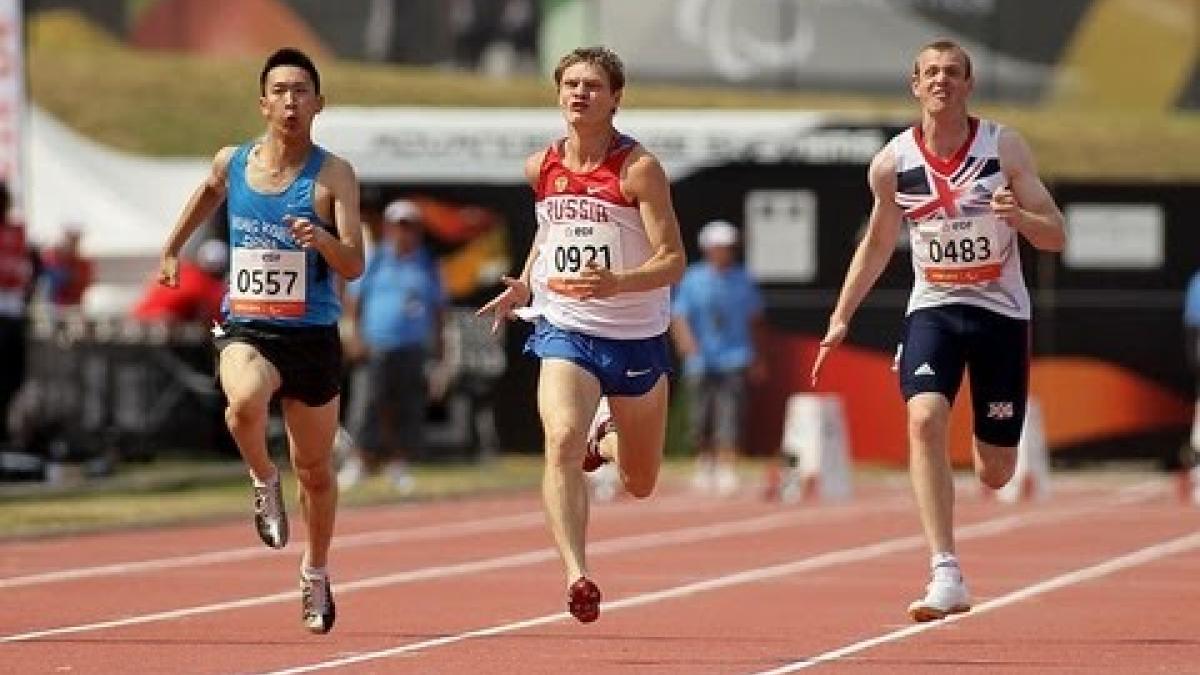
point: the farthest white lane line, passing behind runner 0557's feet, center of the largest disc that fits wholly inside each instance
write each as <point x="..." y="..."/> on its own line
<point x="424" y="533"/>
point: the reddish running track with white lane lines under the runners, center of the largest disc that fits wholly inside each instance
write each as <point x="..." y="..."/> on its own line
<point x="1101" y="578"/>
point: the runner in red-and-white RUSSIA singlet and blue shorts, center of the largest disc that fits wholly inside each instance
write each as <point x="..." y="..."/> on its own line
<point x="599" y="274"/>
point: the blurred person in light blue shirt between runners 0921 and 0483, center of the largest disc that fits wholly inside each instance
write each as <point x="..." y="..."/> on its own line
<point x="718" y="318"/>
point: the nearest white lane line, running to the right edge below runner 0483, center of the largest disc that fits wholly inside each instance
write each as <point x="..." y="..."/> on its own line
<point x="1142" y="557"/>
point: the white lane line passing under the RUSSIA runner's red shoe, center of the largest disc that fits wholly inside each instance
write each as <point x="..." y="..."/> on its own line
<point x="832" y="559"/>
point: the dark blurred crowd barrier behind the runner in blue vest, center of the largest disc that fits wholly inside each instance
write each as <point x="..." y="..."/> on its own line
<point x="100" y="392"/>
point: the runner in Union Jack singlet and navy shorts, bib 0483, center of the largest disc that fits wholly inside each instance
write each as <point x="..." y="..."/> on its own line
<point x="965" y="189"/>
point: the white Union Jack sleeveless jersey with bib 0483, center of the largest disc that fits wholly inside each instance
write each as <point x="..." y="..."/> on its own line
<point x="962" y="253"/>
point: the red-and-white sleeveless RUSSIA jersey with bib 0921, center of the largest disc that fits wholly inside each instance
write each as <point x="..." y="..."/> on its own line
<point x="585" y="218"/>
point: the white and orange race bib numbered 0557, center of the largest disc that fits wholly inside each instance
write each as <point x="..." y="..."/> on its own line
<point x="267" y="284"/>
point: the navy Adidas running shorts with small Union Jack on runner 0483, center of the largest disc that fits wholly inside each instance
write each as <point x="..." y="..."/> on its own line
<point x="941" y="343"/>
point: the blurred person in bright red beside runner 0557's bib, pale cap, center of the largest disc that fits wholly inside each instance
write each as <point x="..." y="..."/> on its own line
<point x="200" y="292"/>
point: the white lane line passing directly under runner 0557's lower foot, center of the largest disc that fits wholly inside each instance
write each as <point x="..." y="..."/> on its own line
<point x="621" y="545"/>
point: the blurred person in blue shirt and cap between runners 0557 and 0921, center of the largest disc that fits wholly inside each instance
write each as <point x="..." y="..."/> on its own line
<point x="398" y="309"/>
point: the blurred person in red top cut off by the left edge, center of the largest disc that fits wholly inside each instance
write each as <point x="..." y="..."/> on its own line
<point x="19" y="267"/>
